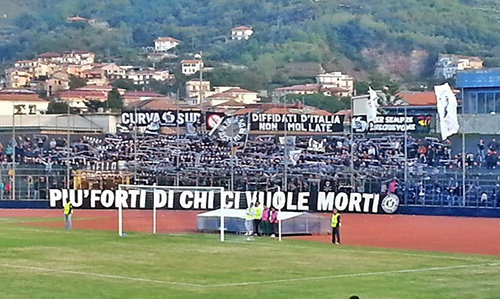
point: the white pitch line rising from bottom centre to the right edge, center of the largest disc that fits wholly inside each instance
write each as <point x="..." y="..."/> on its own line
<point x="380" y="273"/>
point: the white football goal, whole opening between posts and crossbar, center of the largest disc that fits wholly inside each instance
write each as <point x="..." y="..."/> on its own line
<point x="170" y="209"/>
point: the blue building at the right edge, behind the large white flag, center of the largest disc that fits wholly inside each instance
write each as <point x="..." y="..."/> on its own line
<point x="480" y="91"/>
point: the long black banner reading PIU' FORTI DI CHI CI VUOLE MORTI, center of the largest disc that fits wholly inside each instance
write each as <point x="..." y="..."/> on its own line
<point x="322" y="201"/>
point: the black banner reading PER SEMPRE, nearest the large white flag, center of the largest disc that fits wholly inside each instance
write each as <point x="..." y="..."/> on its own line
<point x="393" y="124"/>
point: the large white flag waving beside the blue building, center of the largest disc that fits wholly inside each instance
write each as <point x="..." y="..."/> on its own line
<point x="447" y="110"/>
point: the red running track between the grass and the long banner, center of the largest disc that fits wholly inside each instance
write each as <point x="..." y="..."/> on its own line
<point x="428" y="233"/>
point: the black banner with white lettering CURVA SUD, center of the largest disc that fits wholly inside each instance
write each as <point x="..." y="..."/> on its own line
<point x="168" y="118"/>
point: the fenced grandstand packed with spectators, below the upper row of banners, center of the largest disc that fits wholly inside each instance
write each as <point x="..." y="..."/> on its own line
<point x="434" y="167"/>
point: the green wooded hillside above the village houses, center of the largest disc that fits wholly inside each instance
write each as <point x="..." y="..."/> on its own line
<point x="392" y="37"/>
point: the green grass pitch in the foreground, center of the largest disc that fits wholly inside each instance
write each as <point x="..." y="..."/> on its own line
<point x="37" y="262"/>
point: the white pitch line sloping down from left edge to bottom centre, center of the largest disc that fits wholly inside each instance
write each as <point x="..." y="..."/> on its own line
<point x="103" y="275"/>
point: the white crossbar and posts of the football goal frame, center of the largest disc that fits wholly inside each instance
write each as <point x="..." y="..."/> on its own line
<point x="150" y="188"/>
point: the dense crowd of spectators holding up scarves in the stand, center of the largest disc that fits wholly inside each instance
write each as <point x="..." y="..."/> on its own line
<point x="259" y="163"/>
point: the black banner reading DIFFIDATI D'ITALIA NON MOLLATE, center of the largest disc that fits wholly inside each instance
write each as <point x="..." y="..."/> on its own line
<point x="297" y="123"/>
